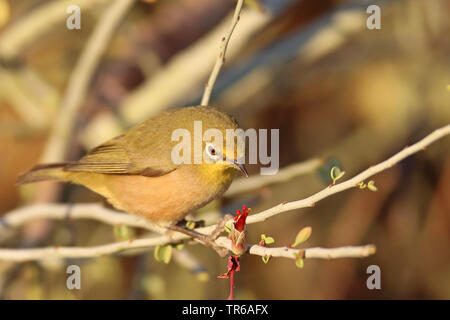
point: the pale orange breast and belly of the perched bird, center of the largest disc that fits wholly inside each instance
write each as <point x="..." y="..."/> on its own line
<point x="165" y="199"/>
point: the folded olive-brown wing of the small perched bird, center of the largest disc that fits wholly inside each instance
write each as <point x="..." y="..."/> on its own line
<point x="115" y="157"/>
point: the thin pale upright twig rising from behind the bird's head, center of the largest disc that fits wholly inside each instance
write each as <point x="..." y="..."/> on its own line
<point x="221" y="57"/>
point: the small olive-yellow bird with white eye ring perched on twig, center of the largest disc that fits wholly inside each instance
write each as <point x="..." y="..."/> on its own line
<point x="135" y="171"/>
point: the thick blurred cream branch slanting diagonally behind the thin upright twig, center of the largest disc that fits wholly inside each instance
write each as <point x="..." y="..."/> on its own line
<point x="152" y="97"/>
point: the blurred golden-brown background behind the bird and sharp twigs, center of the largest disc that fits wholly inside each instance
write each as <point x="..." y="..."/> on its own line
<point x="336" y="90"/>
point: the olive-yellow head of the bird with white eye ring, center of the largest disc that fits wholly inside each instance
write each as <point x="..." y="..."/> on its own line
<point x="217" y="145"/>
